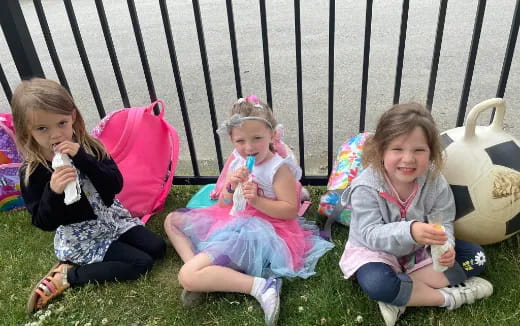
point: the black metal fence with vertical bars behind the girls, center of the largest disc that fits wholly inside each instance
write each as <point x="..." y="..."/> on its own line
<point x="28" y="64"/>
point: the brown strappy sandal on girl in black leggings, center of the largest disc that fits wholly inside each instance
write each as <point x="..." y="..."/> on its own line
<point x="48" y="288"/>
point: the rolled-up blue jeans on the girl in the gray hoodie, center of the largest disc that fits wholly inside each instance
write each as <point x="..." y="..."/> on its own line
<point x="381" y="283"/>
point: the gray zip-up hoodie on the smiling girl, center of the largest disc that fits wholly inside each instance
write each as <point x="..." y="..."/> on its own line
<point x="379" y="223"/>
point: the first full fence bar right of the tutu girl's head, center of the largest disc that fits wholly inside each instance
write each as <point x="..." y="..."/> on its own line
<point x="299" y="88"/>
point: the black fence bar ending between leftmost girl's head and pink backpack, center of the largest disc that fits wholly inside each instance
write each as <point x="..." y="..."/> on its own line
<point x="83" y="55"/>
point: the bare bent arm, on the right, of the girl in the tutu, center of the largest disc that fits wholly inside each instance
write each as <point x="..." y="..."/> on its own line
<point x="286" y="205"/>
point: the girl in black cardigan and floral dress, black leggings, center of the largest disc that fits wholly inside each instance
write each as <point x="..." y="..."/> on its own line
<point x="96" y="239"/>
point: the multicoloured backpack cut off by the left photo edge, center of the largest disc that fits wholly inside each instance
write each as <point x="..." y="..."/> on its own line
<point x="10" y="161"/>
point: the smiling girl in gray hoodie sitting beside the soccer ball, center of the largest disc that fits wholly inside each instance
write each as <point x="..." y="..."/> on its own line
<point x="388" y="249"/>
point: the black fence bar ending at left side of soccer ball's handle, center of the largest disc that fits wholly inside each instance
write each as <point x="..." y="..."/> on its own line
<point x="471" y="61"/>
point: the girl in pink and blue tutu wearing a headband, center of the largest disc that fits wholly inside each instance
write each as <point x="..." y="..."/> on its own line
<point x="228" y="247"/>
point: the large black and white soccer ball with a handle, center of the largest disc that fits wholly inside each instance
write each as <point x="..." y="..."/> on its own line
<point x="482" y="166"/>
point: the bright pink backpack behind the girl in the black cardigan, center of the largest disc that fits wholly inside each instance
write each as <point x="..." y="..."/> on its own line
<point x="146" y="149"/>
